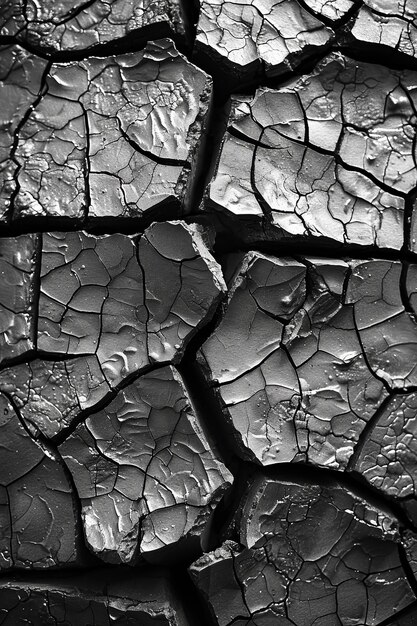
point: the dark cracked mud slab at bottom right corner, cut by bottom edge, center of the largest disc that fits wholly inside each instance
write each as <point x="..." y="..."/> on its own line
<point x="308" y="554"/>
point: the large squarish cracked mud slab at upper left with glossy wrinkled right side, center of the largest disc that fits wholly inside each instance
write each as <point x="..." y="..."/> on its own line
<point x="110" y="137"/>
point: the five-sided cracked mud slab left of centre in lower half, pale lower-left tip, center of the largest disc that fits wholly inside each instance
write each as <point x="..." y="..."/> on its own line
<point x="143" y="469"/>
